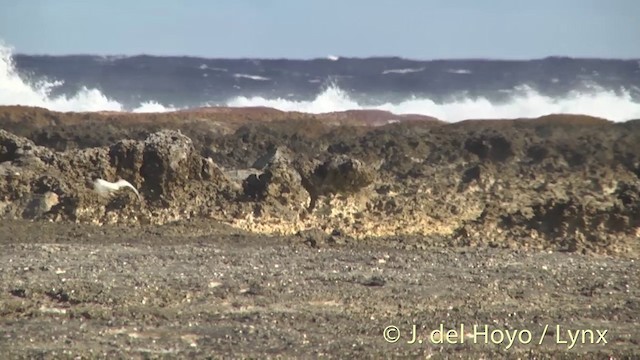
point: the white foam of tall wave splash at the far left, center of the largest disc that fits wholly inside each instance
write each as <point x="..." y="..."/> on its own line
<point x="16" y="90"/>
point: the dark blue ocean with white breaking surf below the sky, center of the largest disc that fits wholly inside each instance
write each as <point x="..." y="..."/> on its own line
<point x="450" y="90"/>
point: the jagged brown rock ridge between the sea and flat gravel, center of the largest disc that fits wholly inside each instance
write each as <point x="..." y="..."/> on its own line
<point x="560" y="182"/>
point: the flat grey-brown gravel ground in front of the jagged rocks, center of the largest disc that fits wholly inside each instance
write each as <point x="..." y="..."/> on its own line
<point x="202" y="290"/>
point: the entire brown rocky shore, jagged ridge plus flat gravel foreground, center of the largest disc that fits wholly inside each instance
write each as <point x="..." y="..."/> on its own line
<point x="263" y="234"/>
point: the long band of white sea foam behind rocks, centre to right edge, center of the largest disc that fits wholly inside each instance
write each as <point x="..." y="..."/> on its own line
<point x="524" y="102"/>
